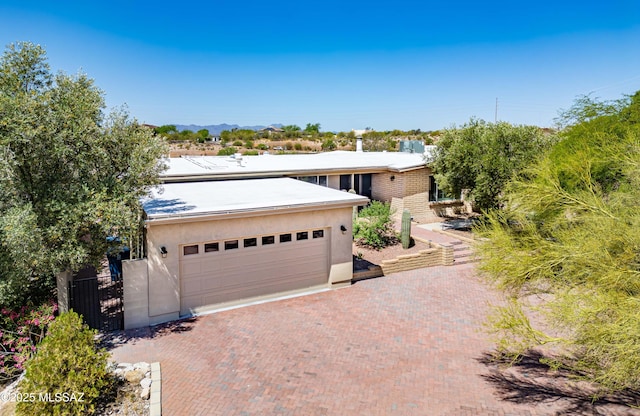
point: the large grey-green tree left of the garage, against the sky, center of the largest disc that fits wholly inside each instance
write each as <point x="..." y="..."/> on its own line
<point x="69" y="175"/>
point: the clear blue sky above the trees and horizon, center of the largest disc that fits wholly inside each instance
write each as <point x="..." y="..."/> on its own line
<point x="344" y="64"/>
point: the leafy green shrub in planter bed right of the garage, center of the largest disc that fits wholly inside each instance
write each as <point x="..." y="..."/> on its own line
<point x="374" y="227"/>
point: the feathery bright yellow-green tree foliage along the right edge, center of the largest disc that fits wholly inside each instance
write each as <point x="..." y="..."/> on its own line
<point x="569" y="235"/>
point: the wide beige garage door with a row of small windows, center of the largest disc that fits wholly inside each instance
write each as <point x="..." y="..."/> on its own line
<point x="229" y="270"/>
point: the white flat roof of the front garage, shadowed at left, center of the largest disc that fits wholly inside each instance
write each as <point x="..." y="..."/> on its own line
<point x="194" y="199"/>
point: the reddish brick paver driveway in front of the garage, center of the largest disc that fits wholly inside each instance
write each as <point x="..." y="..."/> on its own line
<point x="406" y="344"/>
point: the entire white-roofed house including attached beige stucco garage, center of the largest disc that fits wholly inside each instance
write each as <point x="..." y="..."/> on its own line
<point x="226" y="230"/>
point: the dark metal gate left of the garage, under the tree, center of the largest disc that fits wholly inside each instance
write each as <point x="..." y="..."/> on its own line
<point x="99" y="299"/>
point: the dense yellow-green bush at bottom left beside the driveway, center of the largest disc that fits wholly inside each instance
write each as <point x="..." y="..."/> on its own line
<point x="68" y="365"/>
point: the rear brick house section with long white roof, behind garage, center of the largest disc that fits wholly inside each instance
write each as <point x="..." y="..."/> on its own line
<point x="403" y="179"/>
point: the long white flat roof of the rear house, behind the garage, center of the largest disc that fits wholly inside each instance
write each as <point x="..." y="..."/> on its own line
<point x="194" y="166"/>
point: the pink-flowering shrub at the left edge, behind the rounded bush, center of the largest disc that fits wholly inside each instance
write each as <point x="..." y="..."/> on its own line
<point x="20" y="332"/>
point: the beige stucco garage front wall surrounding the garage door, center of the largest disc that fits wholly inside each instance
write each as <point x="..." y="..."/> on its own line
<point x="164" y="273"/>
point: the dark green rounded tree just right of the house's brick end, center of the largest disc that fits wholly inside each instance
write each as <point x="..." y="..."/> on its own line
<point x="482" y="157"/>
